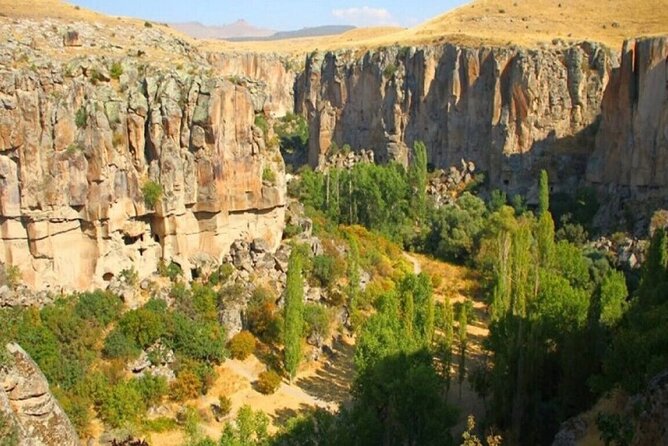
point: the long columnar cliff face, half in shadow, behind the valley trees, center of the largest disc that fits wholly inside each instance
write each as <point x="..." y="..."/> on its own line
<point x="511" y="111"/>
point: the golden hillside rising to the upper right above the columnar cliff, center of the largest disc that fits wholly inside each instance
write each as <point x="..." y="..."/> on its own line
<point x="497" y="22"/>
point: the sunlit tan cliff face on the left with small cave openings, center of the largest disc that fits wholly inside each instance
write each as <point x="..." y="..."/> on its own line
<point x="77" y="148"/>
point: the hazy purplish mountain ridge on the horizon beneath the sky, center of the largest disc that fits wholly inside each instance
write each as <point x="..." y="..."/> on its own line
<point x="241" y="30"/>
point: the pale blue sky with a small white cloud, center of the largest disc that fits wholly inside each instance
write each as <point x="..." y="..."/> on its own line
<point x="278" y="14"/>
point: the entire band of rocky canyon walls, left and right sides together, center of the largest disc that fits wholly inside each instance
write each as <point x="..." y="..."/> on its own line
<point x="78" y="145"/>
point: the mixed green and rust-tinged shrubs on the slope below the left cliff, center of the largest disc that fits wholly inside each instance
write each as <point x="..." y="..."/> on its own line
<point x="84" y="373"/>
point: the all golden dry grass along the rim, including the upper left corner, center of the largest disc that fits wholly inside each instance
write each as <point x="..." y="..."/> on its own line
<point x="526" y="23"/>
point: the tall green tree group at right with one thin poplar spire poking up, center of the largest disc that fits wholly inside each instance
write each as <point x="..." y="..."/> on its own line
<point x="553" y="308"/>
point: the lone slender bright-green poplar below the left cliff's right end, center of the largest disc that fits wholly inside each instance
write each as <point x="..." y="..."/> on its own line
<point x="293" y="313"/>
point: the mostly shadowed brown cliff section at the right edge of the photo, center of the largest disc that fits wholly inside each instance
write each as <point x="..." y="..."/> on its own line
<point x="632" y="145"/>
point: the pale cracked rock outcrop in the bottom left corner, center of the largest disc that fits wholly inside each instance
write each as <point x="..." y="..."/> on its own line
<point x="25" y="400"/>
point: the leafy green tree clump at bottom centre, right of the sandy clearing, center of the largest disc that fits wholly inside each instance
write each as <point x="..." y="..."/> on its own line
<point x="398" y="392"/>
